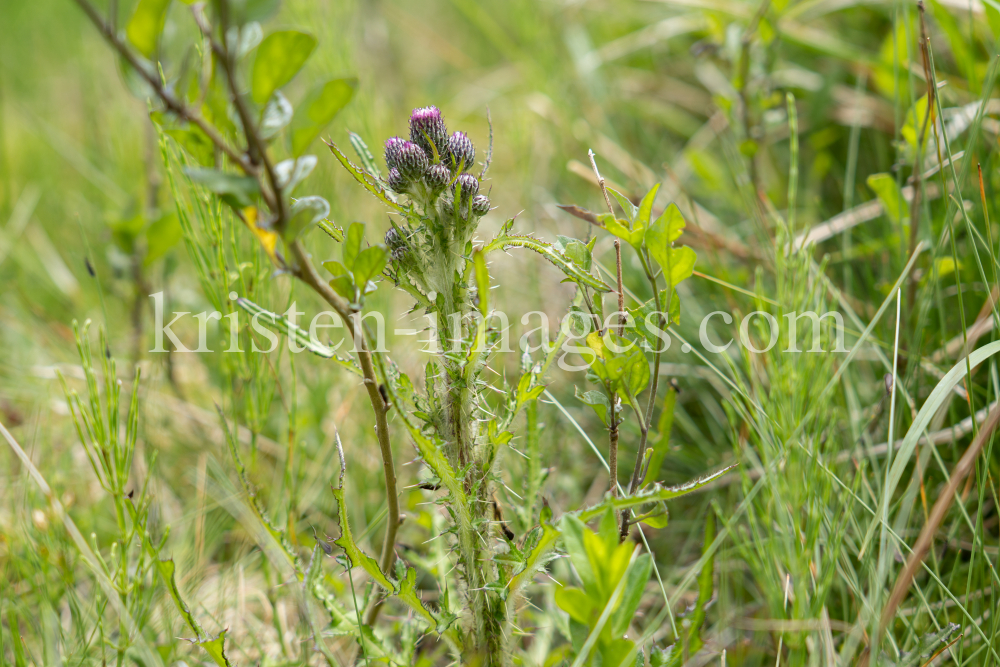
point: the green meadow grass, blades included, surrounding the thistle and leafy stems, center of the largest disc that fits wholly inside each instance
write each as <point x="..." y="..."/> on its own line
<point x="814" y="528"/>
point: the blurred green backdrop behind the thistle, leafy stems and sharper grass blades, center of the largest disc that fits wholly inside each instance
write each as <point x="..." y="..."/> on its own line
<point x="689" y="93"/>
